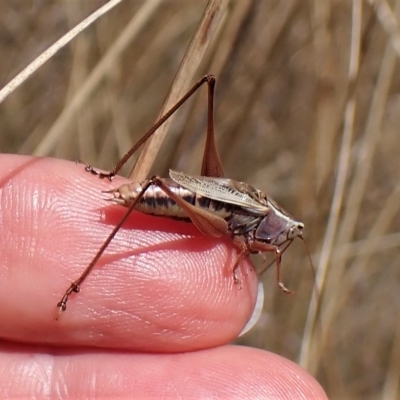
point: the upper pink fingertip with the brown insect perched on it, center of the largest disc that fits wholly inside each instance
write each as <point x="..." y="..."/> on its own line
<point x="160" y="286"/>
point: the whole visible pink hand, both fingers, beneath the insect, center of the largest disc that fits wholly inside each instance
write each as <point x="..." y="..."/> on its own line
<point x="161" y="287"/>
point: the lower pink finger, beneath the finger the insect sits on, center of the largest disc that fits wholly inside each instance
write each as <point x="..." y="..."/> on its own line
<point x="227" y="372"/>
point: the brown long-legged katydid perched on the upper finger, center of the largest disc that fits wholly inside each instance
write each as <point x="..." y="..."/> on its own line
<point x="216" y="205"/>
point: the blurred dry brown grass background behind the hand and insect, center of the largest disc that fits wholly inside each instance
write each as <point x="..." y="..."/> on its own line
<point x="283" y="90"/>
